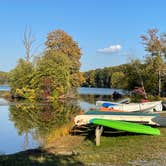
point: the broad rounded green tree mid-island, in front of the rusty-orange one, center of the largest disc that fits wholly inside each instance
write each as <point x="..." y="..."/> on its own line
<point x="52" y="76"/>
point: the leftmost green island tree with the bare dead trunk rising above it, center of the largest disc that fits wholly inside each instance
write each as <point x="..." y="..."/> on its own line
<point x="22" y="74"/>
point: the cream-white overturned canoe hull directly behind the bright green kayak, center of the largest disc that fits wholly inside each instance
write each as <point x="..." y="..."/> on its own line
<point x="85" y="119"/>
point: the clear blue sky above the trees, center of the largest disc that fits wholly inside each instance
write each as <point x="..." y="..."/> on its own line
<point x="107" y="31"/>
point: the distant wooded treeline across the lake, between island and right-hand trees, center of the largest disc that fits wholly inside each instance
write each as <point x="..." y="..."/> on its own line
<point x="123" y="76"/>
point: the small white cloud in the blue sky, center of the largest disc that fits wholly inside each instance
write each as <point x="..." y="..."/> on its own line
<point x="110" y="49"/>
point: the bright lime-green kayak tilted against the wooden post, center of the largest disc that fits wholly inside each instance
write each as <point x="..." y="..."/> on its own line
<point x="126" y="126"/>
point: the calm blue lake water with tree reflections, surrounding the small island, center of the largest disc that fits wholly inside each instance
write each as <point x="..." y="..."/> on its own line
<point x="27" y="126"/>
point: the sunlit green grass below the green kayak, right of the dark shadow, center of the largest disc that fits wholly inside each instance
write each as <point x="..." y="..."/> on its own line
<point x="121" y="150"/>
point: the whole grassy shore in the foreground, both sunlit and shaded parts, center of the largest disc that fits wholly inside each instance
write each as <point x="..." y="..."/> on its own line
<point x="115" y="149"/>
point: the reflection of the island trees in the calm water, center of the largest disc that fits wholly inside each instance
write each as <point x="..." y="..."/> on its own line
<point x="41" y="119"/>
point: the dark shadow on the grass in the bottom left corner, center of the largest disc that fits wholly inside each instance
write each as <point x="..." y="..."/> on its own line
<point x="38" y="158"/>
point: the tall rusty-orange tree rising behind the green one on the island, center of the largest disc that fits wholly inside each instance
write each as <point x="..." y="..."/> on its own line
<point x="60" y="41"/>
